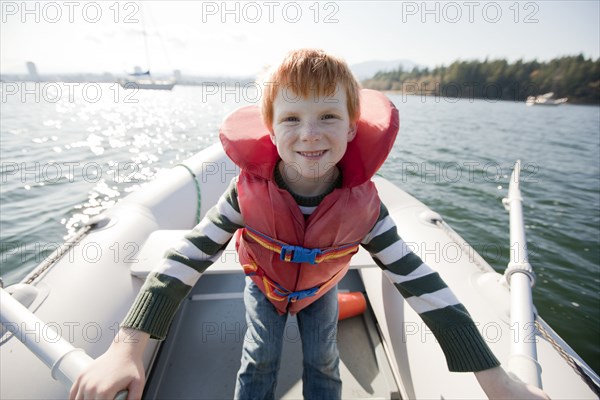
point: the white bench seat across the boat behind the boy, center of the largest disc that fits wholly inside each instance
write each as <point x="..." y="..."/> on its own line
<point x="160" y="241"/>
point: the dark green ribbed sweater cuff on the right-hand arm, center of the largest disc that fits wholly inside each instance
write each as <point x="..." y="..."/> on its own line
<point x="465" y="349"/>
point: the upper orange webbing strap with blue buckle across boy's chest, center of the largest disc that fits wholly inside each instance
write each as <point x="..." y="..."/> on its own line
<point x="299" y="254"/>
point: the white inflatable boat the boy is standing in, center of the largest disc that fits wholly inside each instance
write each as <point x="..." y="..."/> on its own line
<point x="69" y="308"/>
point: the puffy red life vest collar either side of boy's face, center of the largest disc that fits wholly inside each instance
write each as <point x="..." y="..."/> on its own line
<point x="247" y="141"/>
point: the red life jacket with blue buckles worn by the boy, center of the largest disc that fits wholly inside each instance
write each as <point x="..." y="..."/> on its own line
<point x="292" y="260"/>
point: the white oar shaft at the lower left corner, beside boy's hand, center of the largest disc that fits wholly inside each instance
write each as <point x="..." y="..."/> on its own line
<point x="65" y="361"/>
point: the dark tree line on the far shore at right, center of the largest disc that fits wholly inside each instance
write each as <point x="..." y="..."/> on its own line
<point x="574" y="77"/>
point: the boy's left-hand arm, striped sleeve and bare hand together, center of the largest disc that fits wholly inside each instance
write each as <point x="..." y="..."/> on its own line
<point x="155" y="306"/>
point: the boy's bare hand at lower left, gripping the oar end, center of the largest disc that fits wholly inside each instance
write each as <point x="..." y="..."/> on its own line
<point x="119" y="368"/>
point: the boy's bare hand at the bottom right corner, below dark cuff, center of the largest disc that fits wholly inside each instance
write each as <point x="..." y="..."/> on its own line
<point x="497" y="384"/>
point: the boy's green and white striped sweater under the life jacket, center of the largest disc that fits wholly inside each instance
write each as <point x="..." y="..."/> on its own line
<point x="424" y="290"/>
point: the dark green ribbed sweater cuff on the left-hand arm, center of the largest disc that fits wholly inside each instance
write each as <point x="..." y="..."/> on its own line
<point x="151" y="313"/>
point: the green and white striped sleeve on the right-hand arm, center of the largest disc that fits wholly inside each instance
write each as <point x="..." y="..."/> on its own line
<point x="426" y="292"/>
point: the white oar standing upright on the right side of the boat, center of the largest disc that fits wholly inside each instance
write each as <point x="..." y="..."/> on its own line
<point x="519" y="274"/>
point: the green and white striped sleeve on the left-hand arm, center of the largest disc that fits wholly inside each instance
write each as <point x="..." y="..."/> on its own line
<point x="171" y="281"/>
